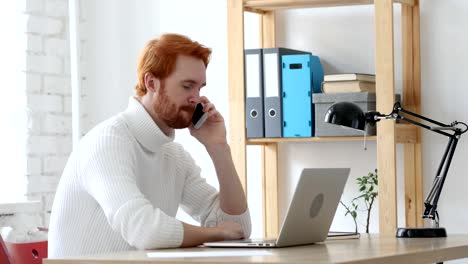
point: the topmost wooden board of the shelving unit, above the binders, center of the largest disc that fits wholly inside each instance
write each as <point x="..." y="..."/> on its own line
<point x="260" y="6"/>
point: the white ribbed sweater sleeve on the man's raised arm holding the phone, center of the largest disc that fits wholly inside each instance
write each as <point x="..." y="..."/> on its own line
<point x="201" y="201"/>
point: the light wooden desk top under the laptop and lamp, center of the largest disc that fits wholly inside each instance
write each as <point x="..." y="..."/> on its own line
<point x="373" y="249"/>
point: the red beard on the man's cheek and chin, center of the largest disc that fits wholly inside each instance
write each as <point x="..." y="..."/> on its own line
<point x="168" y="112"/>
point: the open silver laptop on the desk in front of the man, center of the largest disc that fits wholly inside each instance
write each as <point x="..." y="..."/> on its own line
<point x="310" y="212"/>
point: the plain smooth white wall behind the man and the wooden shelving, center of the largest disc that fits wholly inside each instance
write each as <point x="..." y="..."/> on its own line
<point x="342" y="37"/>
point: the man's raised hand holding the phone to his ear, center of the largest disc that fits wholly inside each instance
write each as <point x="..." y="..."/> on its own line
<point x="213" y="131"/>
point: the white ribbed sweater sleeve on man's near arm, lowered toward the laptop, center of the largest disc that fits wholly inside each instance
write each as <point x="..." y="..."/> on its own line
<point x="108" y="175"/>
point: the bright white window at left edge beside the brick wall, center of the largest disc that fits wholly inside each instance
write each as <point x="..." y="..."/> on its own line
<point x="13" y="120"/>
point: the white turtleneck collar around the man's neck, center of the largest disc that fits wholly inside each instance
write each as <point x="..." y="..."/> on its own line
<point x="143" y="127"/>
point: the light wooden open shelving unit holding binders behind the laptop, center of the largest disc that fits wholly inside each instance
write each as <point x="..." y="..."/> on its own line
<point x="388" y="133"/>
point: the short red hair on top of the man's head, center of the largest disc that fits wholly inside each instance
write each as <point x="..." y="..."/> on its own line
<point x="159" y="57"/>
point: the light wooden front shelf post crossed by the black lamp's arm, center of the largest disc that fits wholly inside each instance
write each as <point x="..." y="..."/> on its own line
<point x="386" y="138"/>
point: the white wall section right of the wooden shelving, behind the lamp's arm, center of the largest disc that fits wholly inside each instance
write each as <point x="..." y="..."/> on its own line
<point x="444" y="76"/>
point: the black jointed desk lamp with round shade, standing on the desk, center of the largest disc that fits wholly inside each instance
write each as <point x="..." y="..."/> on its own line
<point x="350" y="115"/>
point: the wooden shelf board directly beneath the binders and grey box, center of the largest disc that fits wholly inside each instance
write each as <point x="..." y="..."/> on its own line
<point x="405" y="134"/>
